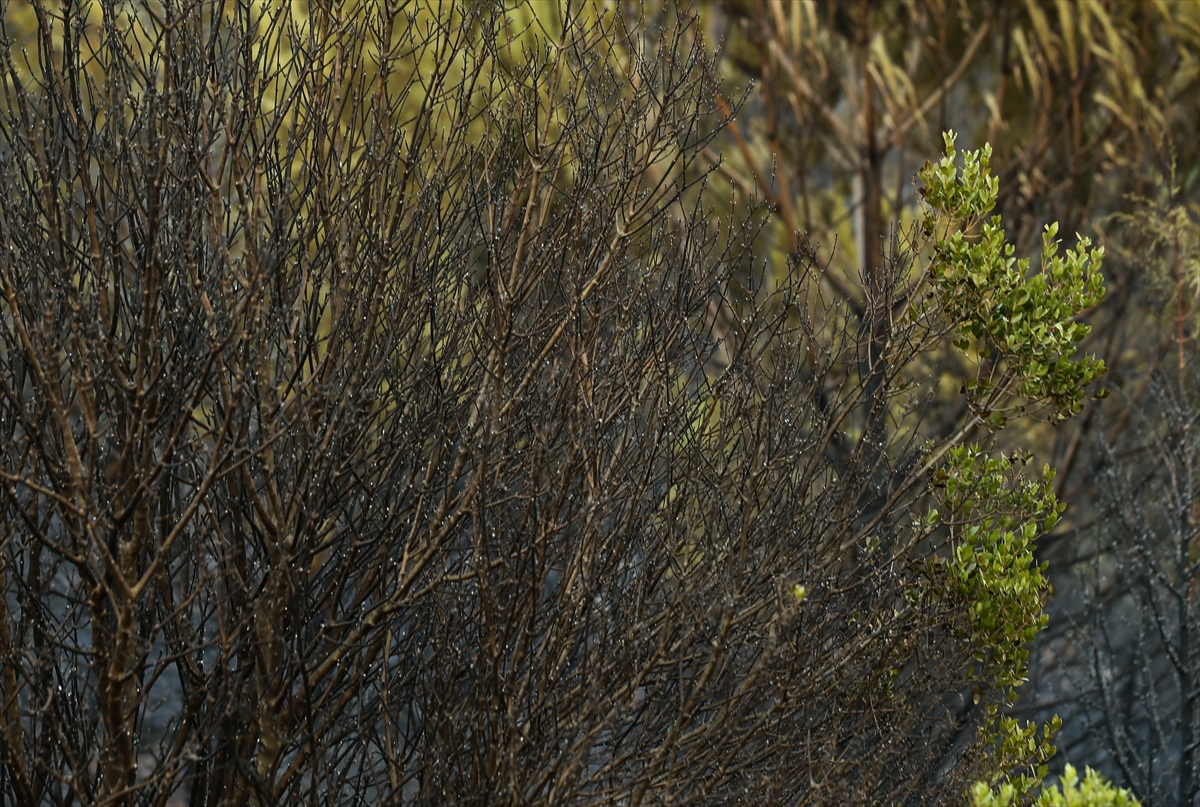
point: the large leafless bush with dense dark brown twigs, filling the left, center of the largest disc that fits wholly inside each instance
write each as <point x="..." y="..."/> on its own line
<point x="383" y="422"/>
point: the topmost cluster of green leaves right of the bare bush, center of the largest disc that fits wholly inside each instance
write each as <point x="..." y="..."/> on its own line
<point x="1025" y="324"/>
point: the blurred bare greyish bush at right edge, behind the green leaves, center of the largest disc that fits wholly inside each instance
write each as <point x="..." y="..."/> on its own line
<point x="1125" y="642"/>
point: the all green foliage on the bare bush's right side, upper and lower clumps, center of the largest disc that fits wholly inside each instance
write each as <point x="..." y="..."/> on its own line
<point x="1021" y="328"/>
